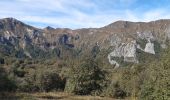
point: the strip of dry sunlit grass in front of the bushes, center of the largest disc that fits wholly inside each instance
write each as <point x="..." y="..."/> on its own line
<point x="49" y="96"/>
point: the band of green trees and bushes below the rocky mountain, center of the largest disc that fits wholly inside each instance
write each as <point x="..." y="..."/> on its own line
<point x="88" y="75"/>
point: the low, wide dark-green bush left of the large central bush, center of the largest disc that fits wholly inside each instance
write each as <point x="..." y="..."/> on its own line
<point x="42" y="80"/>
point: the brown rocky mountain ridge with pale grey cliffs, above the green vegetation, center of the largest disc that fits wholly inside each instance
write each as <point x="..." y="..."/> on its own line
<point x="124" y="41"/>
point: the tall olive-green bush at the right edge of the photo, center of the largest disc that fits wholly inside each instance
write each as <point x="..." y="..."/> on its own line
<point x="156" y="85"/>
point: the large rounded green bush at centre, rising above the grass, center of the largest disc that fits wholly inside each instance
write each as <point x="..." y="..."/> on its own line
<point x="86" y="78"/>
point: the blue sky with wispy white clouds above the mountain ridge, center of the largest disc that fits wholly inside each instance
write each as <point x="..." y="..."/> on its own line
<point x="83" y="13"/>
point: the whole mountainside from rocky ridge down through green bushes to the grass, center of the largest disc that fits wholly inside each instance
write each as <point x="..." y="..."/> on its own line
<point x="117" y="61"/>
